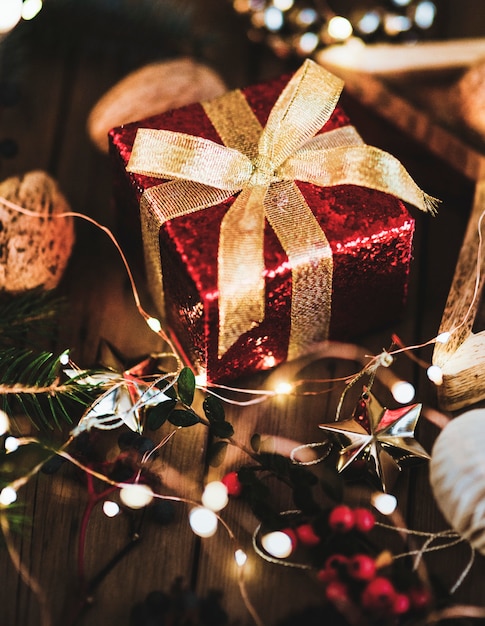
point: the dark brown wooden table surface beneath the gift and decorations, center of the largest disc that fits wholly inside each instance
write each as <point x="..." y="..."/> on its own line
<point x="49" y="124"/>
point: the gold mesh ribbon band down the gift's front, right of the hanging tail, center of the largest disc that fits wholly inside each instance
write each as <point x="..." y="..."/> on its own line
<point x="310" y="257"/>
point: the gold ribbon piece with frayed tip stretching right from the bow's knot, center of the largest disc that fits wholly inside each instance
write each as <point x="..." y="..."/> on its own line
<point x="364" y="165"/>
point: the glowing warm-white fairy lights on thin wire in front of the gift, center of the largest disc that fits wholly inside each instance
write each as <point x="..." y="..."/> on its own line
<point x="204" y="517"/>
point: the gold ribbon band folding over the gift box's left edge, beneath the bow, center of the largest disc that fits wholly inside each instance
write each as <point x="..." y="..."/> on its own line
<point x="160" y="204"/>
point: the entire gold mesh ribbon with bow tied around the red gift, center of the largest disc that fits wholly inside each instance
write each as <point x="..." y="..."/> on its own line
<point x="261" y="164"/>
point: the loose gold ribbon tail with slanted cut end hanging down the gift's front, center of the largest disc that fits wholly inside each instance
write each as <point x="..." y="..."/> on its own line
<point x="241" y="268"/>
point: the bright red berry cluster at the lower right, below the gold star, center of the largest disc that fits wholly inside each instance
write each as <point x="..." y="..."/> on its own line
<point x="358" y="578"/>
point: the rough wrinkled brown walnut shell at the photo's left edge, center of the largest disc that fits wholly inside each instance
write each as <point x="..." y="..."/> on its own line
<point x="34" y="251"/>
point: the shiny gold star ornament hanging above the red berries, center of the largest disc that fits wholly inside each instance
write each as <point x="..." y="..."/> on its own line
<point x="381" y="438"/>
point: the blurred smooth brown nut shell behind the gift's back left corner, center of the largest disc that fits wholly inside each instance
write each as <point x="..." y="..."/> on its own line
<point x="150" y="90"/>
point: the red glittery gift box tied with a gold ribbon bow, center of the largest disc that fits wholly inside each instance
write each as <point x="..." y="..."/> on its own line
<point x="369" y="233"/>
